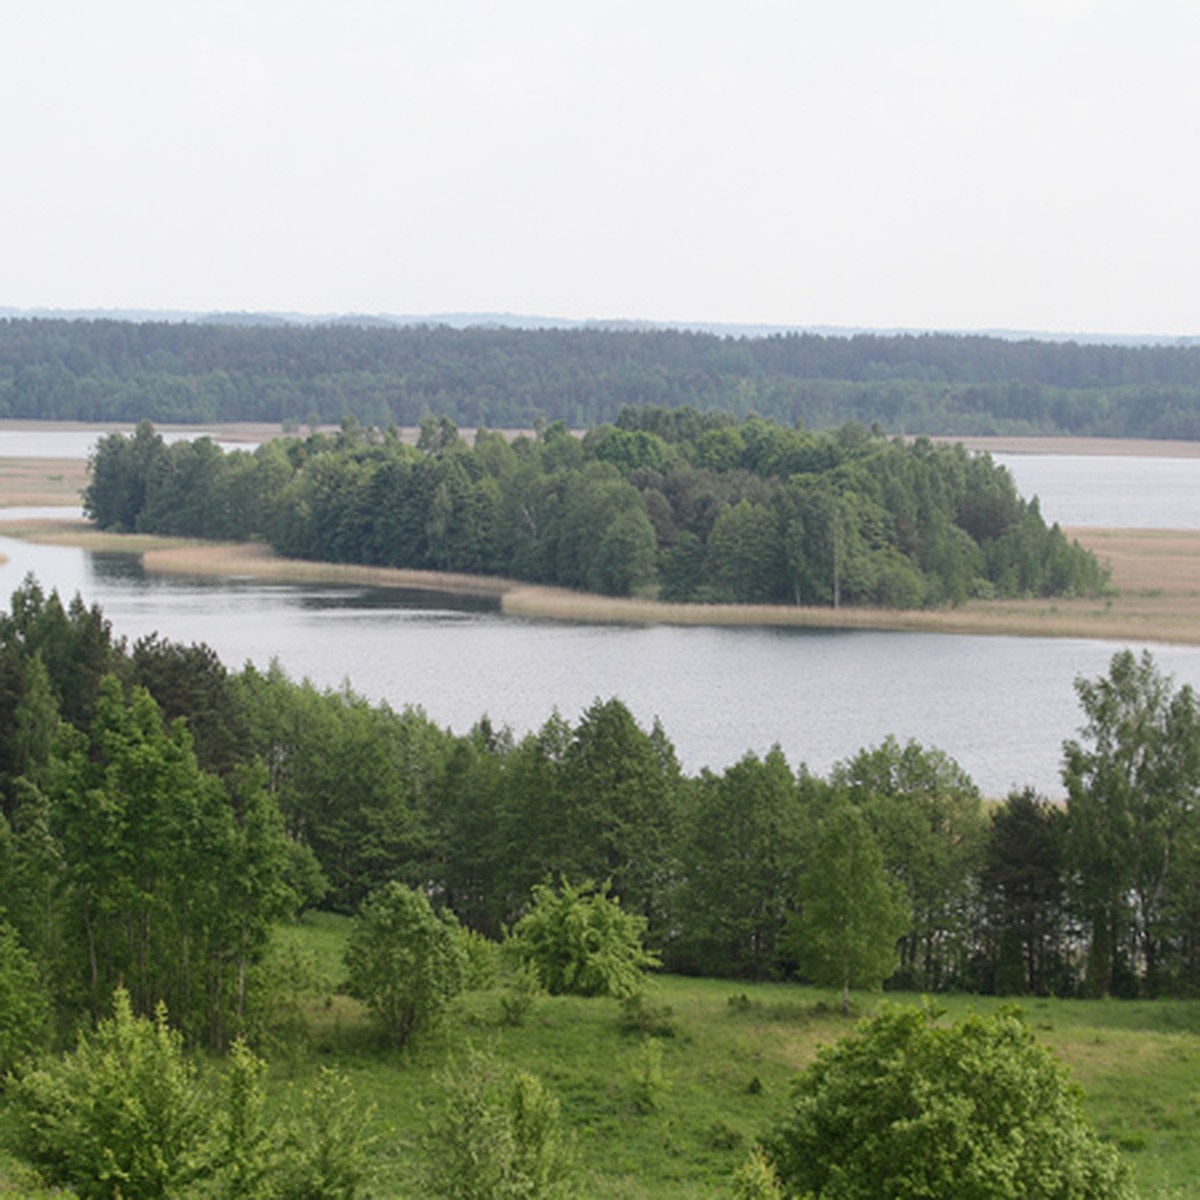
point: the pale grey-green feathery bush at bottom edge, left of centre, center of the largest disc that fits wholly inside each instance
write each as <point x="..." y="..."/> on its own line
<point x="499" y="1137"/>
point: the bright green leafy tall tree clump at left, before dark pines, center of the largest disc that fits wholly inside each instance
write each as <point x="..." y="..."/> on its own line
<point x="169" y="884"/>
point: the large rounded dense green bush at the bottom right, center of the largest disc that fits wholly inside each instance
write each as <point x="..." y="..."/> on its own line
<point x="905" y="1108"/>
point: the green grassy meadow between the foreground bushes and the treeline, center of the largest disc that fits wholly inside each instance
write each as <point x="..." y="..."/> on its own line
<point x="728" y="1065"/>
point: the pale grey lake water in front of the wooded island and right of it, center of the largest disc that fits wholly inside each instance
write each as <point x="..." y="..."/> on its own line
<point x="1001" y="707"/>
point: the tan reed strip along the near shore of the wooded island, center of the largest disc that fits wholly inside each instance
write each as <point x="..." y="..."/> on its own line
<point x="1156" y="581"/>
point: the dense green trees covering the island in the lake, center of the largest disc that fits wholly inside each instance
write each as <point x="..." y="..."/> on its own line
<point x="665" y="503"/>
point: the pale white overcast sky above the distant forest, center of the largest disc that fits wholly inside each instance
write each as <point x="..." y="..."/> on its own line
<point x="970" y="165"/>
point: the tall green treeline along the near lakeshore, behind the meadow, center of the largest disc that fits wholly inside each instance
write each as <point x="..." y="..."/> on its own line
<point x="157" y="854"/>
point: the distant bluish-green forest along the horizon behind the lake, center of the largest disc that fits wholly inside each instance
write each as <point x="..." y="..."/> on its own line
<point x="509" y="379"/>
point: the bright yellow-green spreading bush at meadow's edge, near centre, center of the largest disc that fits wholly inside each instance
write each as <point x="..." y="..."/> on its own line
<point x="581" y="943"/>
